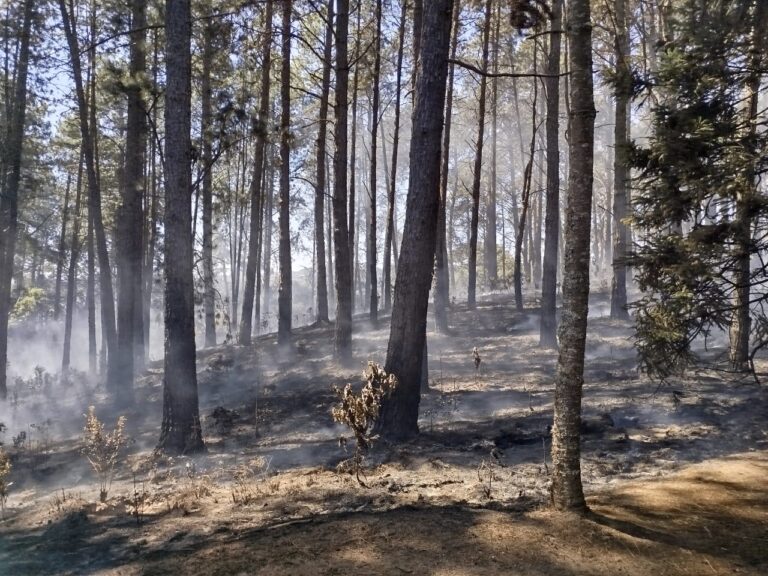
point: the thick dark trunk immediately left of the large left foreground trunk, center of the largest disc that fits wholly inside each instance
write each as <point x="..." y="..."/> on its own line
<point x="130" y="333"/>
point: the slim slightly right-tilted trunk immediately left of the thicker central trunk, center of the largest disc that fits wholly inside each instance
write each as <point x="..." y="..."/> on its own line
<point x="321" y="151"/>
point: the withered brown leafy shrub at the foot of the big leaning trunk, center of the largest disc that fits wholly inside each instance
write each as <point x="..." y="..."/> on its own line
<point x="359" y="412"/>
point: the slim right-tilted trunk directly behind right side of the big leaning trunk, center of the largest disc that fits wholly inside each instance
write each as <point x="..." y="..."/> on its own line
<point x="442" y="279"/>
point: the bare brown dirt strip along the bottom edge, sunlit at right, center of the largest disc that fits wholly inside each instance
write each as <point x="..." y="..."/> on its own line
<point x="711" y="518"/>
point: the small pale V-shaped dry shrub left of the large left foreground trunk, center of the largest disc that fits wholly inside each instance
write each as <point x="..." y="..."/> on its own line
<point x="102" y="449"/>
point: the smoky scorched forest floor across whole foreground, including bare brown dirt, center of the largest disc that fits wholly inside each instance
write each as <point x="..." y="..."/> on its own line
<point x="675" y="475"/>
